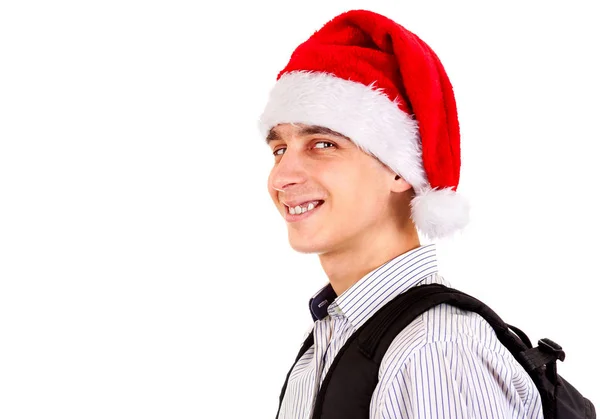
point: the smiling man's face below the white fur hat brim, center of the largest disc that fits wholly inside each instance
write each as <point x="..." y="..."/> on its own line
<point x="352" y="187"/>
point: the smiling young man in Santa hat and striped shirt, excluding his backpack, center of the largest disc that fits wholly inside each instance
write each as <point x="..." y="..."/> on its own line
<point x="363" y="128"/>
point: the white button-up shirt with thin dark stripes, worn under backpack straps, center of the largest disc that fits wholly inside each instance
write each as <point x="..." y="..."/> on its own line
<point x="448" y="363"/>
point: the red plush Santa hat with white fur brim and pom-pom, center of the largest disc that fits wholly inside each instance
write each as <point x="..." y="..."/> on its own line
<point x="370" y="79"/>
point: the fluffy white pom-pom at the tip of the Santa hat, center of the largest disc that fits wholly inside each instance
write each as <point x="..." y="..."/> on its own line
<point x="438" y="213"/>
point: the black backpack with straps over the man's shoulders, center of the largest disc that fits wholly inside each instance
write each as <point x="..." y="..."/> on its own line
<point x="358" y="360"/>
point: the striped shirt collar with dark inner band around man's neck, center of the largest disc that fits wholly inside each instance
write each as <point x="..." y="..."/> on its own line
<point x="378" y="287"/>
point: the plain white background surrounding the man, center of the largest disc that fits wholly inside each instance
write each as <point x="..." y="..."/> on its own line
<point x="144" y="271"/>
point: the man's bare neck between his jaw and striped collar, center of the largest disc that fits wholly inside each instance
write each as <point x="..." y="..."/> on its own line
<point x="345" y="267"/>
